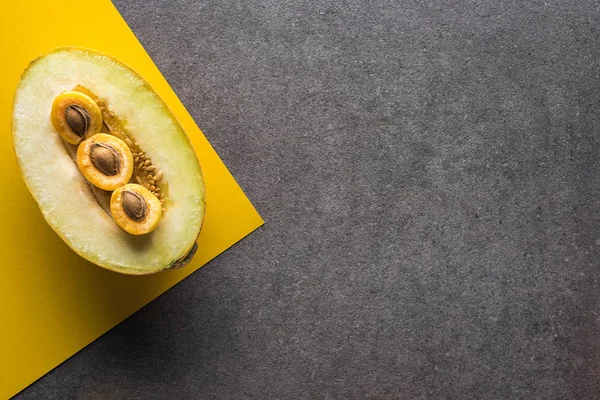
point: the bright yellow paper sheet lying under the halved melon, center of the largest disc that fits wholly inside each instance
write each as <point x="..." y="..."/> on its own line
<point x="52" y="302"/>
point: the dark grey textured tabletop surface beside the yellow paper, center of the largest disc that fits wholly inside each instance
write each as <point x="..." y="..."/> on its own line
<point x="428" y="172"/>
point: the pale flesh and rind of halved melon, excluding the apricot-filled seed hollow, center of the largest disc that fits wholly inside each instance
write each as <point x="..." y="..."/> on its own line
<point x="62" y="193"/>
